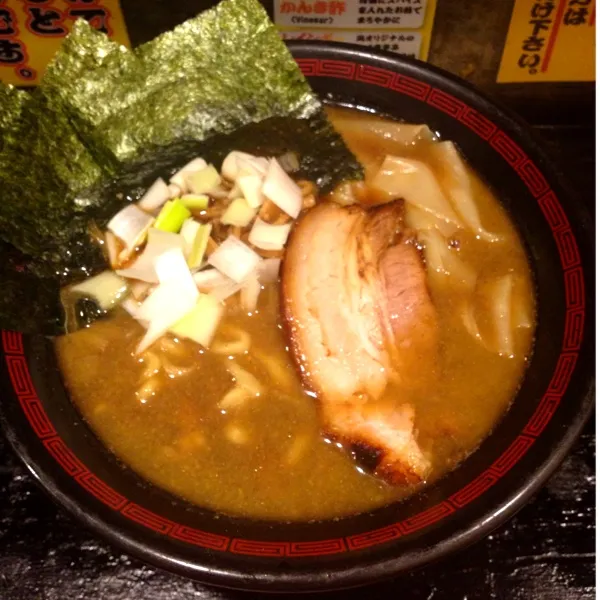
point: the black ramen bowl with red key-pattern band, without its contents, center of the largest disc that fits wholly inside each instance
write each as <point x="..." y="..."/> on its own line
<point x="528" y="444"/>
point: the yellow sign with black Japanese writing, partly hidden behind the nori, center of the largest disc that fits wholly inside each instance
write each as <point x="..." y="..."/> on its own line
<point x="31" y="31"/>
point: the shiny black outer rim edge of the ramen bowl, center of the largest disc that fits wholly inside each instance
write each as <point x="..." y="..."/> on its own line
<point x="359" y="574"/>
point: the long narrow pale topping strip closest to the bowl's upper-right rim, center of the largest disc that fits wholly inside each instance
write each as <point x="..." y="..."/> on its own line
<point x="455" y="180"/>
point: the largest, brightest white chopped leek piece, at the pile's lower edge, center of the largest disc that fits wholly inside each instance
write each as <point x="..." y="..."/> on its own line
<point x="175" y="297"/>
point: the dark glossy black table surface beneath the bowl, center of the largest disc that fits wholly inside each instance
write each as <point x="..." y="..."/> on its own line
<point x="546" y="552"/>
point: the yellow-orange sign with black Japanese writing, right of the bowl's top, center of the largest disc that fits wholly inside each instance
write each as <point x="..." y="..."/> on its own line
<point x="550" y="41"/>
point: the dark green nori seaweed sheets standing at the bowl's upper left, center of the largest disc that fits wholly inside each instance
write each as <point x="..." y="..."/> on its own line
<point x="106" y="121"/>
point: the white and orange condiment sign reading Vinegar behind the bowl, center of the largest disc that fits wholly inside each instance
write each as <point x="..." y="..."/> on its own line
<point x="401" y="26"/>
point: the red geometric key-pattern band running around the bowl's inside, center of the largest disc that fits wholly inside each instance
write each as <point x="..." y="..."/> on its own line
<point x="515" y="156"/>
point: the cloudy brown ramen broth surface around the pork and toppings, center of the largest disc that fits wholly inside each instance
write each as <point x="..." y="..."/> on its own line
<point x="267" y="458"/>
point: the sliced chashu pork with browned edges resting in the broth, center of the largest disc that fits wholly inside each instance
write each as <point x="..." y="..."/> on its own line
<point x="358" y="312"/>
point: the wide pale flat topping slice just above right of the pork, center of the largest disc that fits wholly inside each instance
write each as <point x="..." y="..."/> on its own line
<point x="416" y="183"/>
